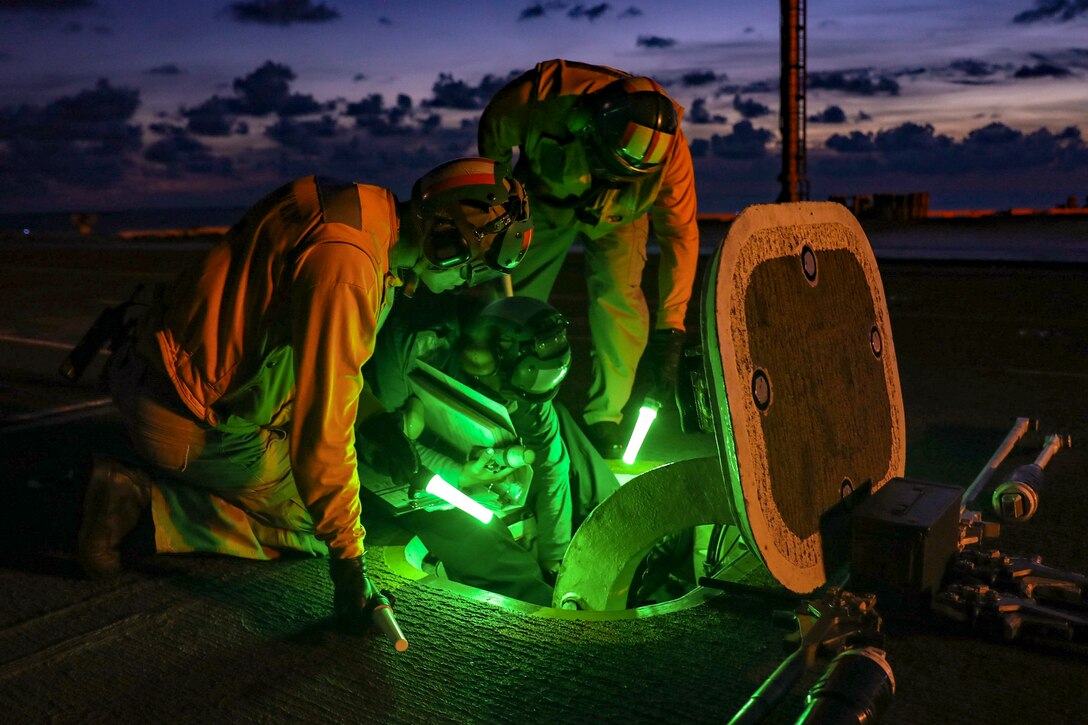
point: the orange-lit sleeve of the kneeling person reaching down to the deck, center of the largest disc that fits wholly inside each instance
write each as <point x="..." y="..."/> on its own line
<point x="336" y="300"/>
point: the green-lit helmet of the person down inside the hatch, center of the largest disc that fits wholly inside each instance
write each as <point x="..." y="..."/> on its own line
<point x="520" y="343"/>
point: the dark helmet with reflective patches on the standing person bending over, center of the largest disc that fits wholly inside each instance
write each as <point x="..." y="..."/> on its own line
<point x="629" y="127"/>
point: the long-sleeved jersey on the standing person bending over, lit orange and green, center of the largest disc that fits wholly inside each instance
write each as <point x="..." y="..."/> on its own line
<point x="534" y="113"/>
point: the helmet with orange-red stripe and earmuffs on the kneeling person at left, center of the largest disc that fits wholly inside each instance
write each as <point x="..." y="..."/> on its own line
<point x="474" y="216"/>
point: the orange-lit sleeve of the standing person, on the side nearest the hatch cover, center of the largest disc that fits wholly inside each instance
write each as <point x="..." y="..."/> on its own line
<point x="675" y="227"/>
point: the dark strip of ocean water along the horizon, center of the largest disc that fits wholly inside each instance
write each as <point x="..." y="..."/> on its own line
<point x="1044" y="239"/>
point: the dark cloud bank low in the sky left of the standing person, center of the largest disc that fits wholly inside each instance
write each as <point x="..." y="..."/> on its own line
<point x="82" y="150"/>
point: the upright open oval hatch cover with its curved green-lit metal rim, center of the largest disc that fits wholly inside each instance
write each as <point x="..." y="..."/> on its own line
<point x="793" y="293"/>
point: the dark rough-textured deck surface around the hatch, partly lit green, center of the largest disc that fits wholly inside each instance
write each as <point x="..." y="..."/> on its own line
<point x="224" y="641"/>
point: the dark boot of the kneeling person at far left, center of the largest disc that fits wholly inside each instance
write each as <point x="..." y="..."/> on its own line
<point x="117" y="496"/>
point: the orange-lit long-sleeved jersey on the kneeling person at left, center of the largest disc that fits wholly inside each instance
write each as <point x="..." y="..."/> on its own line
<point x="274" y="326"/>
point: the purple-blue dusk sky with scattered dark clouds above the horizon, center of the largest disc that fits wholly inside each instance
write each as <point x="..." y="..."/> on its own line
<point x="113" y="105"/>
